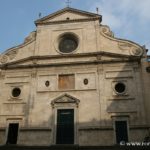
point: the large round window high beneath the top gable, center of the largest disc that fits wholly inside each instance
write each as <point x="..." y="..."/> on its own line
<point x="68" y="43"/>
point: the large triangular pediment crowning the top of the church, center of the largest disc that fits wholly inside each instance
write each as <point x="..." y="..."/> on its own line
<point x="67" y="14"/>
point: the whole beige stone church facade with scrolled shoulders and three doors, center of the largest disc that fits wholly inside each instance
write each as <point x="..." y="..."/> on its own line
<point x="73" y="82"/>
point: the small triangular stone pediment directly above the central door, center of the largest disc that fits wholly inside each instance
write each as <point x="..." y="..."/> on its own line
<point x="65" y="98"/>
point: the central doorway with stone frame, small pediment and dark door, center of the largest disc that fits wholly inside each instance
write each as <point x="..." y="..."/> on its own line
<point x="65" y="123"/>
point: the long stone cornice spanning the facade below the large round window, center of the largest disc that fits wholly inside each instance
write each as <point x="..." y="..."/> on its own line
<point x="98" y="55"/>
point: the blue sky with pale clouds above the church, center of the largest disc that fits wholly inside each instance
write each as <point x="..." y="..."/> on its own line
<point x="129" y="19"/>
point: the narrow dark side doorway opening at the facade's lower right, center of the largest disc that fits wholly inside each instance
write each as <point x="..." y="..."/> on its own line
<point x="121" y="131"/>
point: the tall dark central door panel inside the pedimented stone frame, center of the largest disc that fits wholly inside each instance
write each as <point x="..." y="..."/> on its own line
<point x="65" y="126"/>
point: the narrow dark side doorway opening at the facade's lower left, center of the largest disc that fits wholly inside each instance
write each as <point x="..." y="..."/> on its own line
<point x="12" y="133"/>
